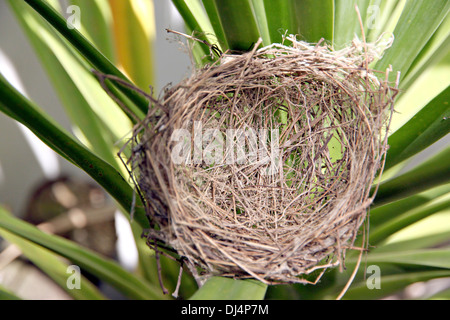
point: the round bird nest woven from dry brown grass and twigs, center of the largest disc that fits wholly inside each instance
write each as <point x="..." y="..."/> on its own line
<point x="261" y="164"/>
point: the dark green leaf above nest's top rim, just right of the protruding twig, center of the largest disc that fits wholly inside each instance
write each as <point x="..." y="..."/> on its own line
<point x="238" y="22"/>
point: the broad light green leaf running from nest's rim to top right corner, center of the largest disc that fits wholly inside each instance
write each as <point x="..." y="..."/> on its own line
<point x="413" y="31"/>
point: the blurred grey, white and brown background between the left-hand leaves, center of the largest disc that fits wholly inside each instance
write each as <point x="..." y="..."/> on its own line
<point x="37" y="184"/>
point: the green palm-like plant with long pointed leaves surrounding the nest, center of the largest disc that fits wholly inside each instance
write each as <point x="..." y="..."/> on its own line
<point x="409" y="218"/>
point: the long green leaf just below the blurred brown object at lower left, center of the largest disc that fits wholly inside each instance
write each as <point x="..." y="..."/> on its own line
<point x="127" y="283"/>
